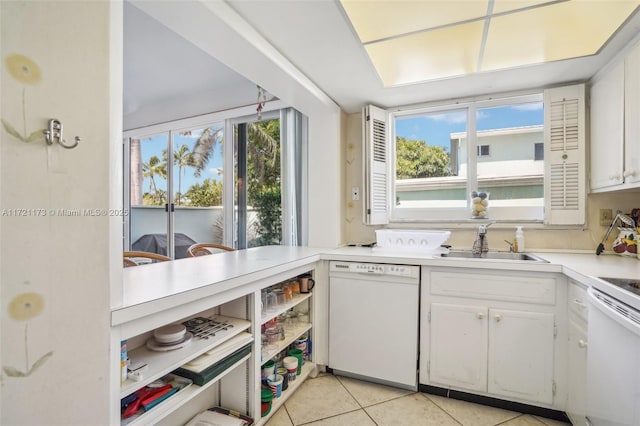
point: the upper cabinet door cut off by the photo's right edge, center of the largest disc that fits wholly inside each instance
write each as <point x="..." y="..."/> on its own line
<point x="632" y="117"/>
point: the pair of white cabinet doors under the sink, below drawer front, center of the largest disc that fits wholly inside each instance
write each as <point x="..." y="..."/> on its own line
<point x="501" y="352"/>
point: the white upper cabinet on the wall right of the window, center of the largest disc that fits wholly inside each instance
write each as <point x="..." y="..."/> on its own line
<point x="615" y="125"/>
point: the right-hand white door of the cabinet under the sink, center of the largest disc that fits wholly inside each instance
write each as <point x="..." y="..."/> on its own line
<point x="521" y="355"/>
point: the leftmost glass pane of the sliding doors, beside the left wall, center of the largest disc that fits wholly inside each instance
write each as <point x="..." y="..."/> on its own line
<point x="148" y="193"/>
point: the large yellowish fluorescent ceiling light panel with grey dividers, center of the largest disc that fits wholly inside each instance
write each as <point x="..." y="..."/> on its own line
<point x="416" y="41"/>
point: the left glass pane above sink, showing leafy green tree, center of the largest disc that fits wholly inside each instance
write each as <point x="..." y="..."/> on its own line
<point x="431" y="162"/>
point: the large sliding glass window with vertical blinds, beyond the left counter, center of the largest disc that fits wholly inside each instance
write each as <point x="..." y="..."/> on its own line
<point x="219" y="179"/>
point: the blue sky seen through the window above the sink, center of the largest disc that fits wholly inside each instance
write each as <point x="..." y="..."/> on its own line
<point x="435" y="128"/>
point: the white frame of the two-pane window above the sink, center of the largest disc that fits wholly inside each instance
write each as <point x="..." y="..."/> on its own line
<point x="531" y="214"/>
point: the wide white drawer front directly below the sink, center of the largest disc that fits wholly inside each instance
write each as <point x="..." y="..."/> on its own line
<point x="512" y="288"/>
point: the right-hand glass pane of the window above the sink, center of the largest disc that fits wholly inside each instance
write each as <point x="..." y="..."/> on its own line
<point x="510" y="170"/>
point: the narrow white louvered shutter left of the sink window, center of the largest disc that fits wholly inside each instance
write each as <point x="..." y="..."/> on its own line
<point x="376" y="152"/>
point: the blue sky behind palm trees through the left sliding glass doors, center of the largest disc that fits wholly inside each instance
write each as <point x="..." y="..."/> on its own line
<point x="155" y="145"/>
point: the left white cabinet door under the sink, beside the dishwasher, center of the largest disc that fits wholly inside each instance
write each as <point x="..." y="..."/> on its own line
<point x="458" y="347"/>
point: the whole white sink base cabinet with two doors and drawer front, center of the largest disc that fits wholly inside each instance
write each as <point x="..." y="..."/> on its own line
<point x="492" y="333"/>
